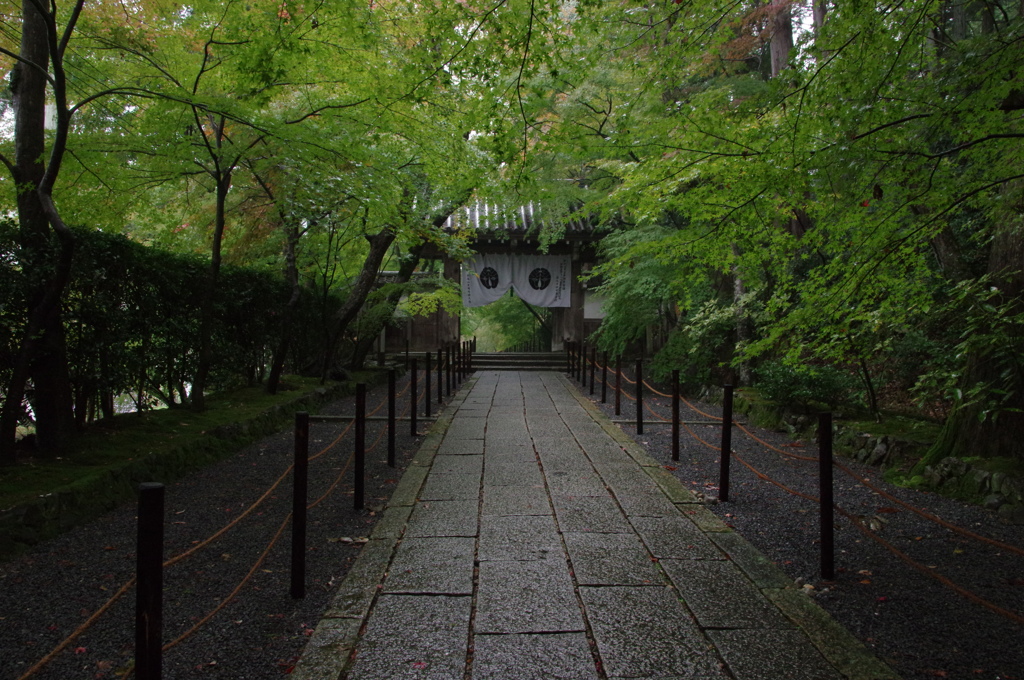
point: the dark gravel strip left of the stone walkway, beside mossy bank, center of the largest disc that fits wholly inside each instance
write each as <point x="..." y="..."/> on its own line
<point x="49" y="593"/>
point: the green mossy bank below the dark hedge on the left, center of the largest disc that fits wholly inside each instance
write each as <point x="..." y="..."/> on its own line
<point x="40" y="498"/>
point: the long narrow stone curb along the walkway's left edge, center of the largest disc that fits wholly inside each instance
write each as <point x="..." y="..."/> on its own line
<point x="337" y="634"/>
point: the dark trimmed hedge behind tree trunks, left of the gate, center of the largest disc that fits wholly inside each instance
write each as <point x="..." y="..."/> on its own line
<point x="133" y="319"/>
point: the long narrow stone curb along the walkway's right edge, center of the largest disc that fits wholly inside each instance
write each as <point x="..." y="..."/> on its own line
<point x="839" y="647"/>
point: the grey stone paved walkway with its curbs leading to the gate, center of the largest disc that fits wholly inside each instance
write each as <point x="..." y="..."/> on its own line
<point x="532" y="539"/>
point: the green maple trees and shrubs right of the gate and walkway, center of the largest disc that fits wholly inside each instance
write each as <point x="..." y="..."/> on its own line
<point x="822" y="184"/>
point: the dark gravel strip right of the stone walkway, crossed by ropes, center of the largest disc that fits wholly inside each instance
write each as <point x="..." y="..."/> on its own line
<point x="921" y="627"/>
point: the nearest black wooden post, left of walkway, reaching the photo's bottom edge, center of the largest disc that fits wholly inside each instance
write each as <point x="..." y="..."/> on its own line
<point x="150" y="578"/>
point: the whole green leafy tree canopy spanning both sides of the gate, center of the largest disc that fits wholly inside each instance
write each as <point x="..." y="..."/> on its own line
<point x="784" y="184"/>
